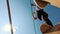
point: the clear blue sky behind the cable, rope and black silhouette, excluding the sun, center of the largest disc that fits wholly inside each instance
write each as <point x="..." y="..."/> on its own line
<point x="21" y="16"/>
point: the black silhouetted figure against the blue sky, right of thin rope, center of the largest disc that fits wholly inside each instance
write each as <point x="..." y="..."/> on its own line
<point x="40" y="13"/>
